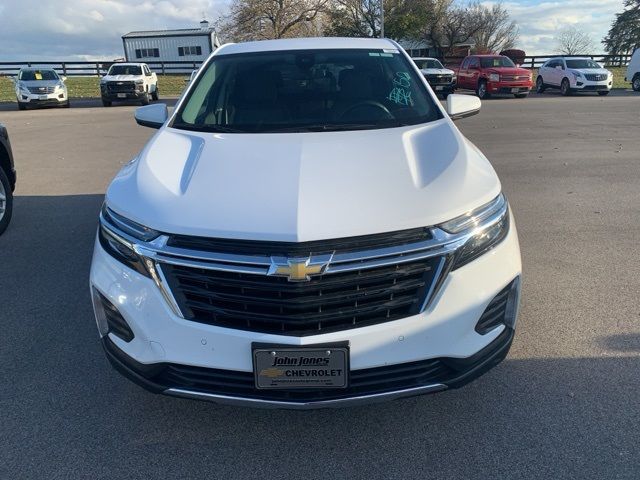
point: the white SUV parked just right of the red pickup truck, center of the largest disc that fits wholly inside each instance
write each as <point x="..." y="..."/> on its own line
<point x="572" y="75"/>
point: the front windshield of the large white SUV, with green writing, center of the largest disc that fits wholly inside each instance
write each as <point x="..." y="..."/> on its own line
<point x="306" y="90"/>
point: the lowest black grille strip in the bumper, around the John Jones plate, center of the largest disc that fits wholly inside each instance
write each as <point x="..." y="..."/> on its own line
<point x="361" y="382"/>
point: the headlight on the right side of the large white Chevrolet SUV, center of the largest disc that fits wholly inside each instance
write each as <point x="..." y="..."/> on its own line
<point x="486" y="226"/>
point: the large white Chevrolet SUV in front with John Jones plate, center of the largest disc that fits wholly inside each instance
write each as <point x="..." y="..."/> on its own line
<point x="308" y="229"/>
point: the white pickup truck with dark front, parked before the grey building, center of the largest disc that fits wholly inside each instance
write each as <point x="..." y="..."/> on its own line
<point x="129" y="81"/>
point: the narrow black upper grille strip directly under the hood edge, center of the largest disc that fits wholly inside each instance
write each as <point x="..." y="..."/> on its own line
<point x="300" y="249"/>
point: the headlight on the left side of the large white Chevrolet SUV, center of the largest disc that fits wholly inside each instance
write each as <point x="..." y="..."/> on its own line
<point x="117" y="236"/>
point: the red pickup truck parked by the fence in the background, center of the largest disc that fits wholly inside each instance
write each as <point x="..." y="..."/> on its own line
<point x="494" y="74"/>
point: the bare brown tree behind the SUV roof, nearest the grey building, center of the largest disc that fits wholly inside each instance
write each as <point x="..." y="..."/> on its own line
<point x="269" y="19"/>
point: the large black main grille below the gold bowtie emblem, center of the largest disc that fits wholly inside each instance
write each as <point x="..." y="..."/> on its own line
<point x="327" y="303"/>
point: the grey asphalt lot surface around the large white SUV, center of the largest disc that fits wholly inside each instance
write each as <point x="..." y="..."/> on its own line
<point x="565" y="403"/>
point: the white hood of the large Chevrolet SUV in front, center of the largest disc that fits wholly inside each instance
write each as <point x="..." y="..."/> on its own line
<point x="303" y="186"/>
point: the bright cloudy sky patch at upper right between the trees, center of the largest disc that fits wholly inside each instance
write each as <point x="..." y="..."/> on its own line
<point x="540" y="22"/>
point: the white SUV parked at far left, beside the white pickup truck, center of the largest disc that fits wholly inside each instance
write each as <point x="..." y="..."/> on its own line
<point x="38" y="87"/>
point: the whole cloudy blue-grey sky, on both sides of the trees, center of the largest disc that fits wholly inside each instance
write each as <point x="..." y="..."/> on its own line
<point x="92" y="29"/>
